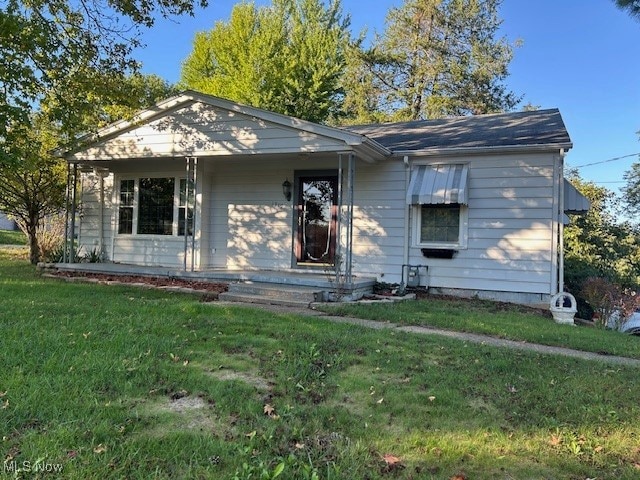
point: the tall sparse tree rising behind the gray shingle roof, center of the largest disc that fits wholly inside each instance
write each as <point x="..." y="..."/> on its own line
<point x="438" y="58"/>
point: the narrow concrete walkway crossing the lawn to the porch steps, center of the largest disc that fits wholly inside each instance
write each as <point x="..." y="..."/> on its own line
<point x="465" y="337"/>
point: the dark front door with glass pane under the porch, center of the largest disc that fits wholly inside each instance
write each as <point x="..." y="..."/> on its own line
<point x="317" y="219"/>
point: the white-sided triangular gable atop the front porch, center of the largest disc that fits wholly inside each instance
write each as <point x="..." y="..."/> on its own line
<point x="194" y="124"/>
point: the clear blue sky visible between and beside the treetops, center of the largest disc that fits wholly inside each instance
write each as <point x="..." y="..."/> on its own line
<point x="581" y="56"/>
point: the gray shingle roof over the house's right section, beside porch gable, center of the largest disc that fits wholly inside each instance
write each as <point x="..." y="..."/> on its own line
<point x="517" y="129"/>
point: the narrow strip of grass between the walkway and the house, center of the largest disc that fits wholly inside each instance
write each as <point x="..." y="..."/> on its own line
<point x="496" y="319"/>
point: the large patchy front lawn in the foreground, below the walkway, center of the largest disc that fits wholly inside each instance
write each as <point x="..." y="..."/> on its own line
<point x="119" y="382"/>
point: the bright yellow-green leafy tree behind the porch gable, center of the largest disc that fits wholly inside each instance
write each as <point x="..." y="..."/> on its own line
<point x="288" y="57"/>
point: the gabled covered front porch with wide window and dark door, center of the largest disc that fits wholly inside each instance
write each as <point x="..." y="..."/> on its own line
<point x="199" y="186"/>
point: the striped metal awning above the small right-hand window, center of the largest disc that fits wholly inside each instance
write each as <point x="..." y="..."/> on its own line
<point x="438" y="184"/>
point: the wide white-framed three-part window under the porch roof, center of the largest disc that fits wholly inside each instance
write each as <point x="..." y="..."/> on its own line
<point x="155" y="206"/>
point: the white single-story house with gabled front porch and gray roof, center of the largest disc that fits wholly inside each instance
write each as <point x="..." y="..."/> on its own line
<point x="472" y="205"/>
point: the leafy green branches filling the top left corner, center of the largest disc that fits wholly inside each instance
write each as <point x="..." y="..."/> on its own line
<point x="51" y="48"/>
